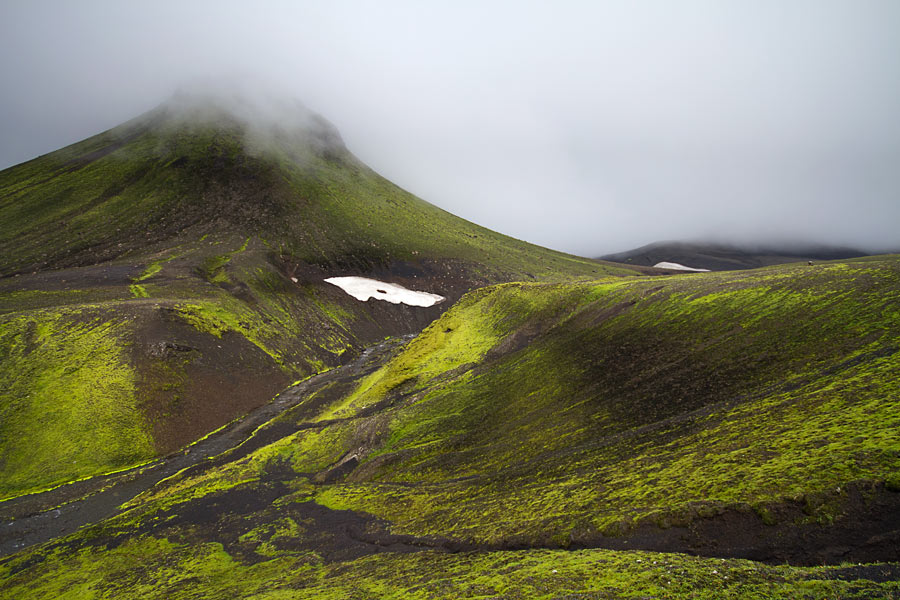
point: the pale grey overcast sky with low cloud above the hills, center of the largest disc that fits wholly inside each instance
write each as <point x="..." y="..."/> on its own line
<point x="590" y="127"/>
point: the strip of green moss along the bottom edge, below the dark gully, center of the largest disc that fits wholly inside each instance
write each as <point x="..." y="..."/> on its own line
<point x="151" y="567"/>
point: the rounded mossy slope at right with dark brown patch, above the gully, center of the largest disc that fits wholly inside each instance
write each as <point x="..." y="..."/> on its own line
<point x="641" y="400"/>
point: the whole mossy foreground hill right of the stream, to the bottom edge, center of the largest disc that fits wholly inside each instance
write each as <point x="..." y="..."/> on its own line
<point x="536" y="436"/>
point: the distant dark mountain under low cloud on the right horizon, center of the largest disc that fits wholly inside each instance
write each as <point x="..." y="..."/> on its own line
<point x="726" y="257"/>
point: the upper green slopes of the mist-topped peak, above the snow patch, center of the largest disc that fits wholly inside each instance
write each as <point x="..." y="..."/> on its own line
<point x="179" y="173"/>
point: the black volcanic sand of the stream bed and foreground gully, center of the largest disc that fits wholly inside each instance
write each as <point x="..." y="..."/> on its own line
<point x="337" y="535"/>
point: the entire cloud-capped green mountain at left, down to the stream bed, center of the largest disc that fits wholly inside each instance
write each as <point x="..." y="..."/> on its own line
<point x="166" y="276"/>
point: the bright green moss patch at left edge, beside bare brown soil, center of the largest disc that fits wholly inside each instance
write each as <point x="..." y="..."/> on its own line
<point x="69" y="407"/>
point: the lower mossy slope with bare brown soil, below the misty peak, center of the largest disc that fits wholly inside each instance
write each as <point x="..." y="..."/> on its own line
<point x="106" y="378"/>
